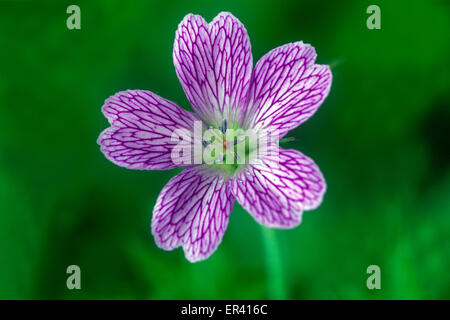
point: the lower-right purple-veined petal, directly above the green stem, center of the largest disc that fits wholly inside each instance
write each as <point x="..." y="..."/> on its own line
<point x="279" y="188"/>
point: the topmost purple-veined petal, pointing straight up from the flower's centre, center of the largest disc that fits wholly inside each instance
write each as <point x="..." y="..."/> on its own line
<point x="214" y="64"/>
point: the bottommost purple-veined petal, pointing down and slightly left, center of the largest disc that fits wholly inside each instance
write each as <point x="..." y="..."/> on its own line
<point x="192" y="211"/>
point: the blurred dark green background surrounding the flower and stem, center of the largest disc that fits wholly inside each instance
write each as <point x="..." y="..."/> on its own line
<point x="381" y="139"/>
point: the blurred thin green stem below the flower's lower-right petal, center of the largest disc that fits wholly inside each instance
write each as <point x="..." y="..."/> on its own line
<point x="275" y="281"/>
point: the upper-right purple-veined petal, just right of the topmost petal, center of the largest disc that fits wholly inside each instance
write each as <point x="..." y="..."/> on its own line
<point x="287" y="88"/>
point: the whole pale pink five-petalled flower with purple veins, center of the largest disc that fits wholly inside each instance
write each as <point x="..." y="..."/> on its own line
<point x="215" y="67"/>
